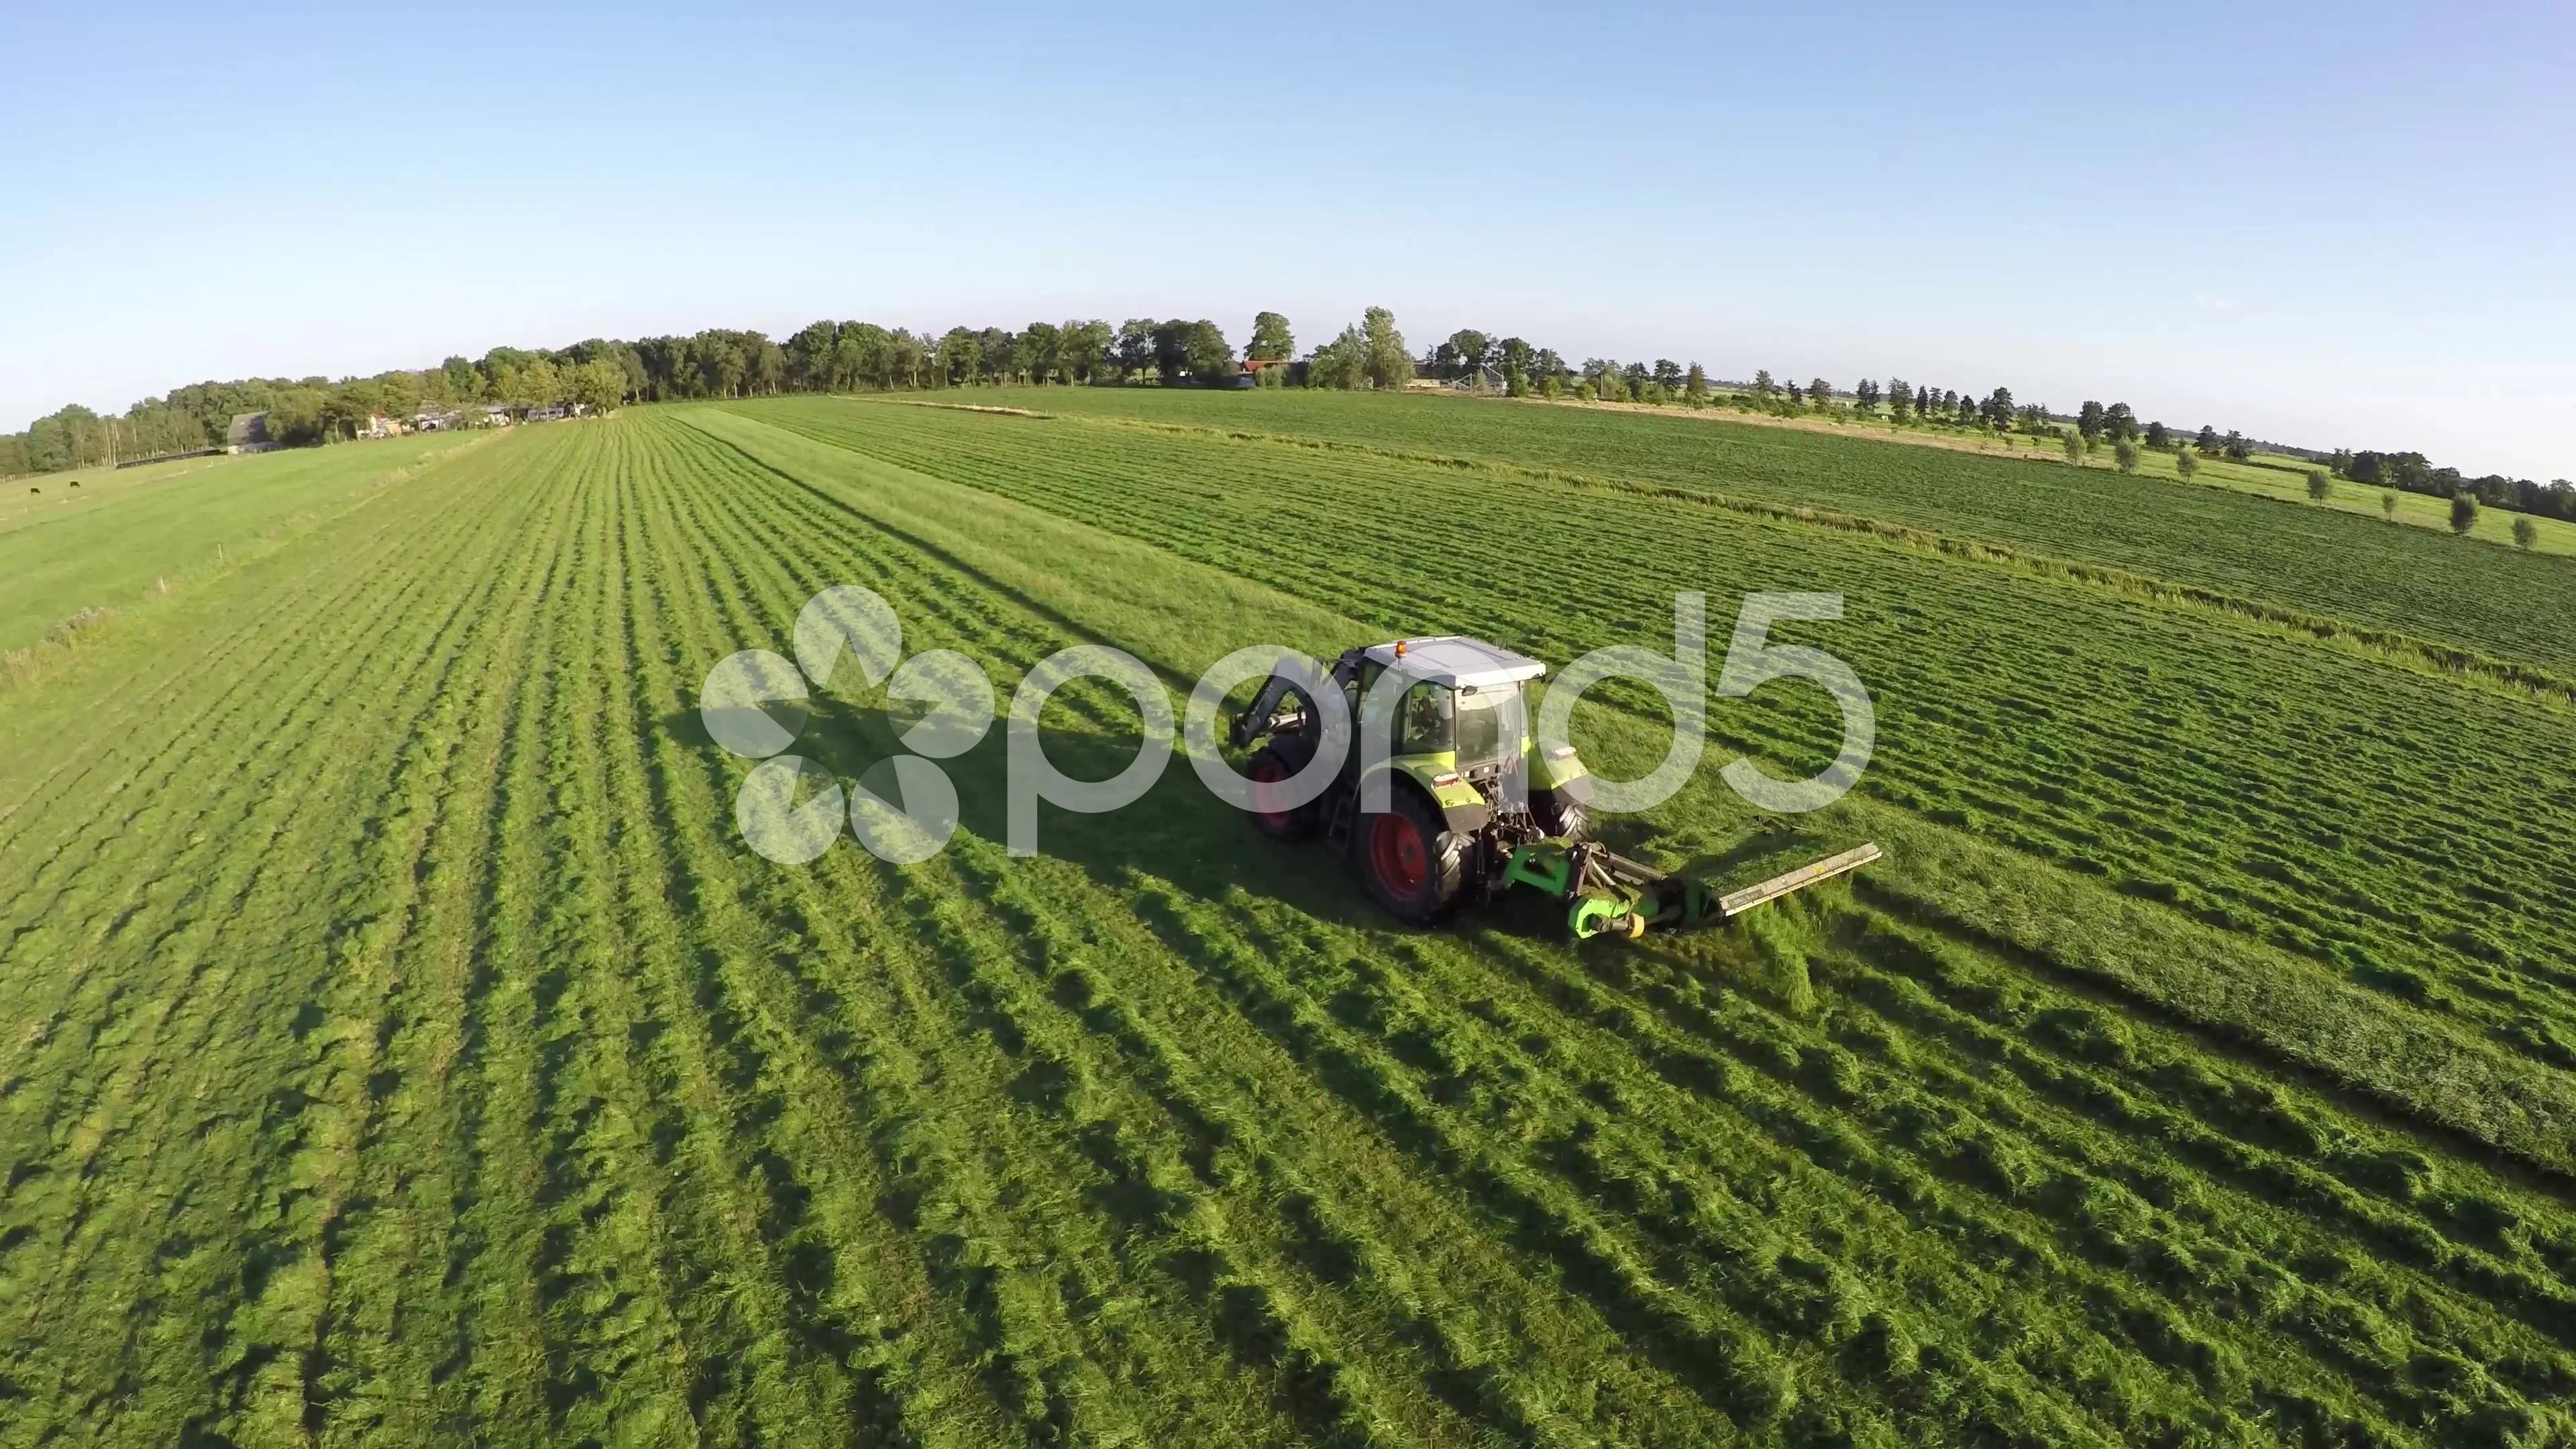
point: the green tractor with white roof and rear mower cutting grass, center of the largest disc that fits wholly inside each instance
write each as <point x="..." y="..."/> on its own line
<point x="1459" y="801"/>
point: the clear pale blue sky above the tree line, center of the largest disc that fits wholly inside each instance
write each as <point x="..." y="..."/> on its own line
<point x="2333" y="226"/>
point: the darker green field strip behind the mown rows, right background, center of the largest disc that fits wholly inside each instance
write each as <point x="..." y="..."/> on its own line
<point x="2304" y="558"/>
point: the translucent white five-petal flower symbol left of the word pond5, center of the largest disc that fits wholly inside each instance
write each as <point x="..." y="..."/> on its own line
<point x="903" y="808"/>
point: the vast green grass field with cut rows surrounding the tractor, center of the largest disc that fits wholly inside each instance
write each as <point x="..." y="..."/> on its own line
<point x="401" y="1045"/>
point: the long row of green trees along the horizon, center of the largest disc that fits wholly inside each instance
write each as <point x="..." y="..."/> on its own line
<point x="854" y="357"/>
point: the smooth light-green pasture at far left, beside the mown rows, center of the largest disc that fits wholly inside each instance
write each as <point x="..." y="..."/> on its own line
<point x="122" y="532"/>
